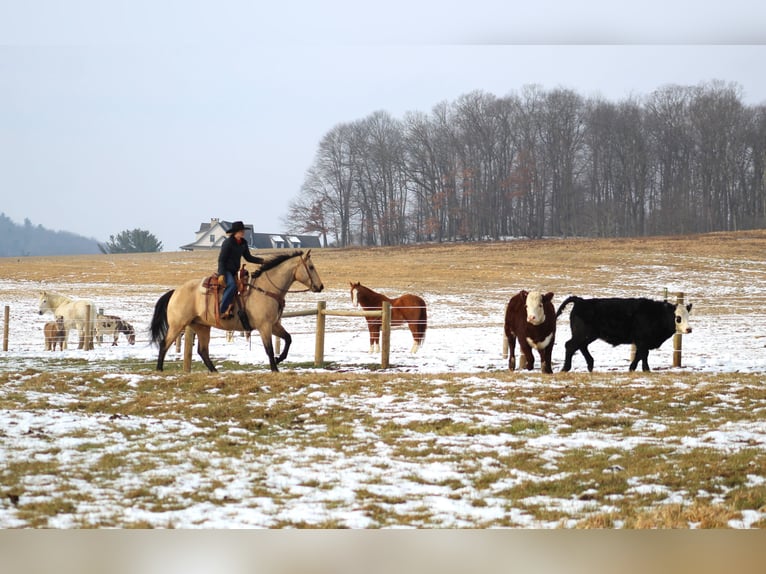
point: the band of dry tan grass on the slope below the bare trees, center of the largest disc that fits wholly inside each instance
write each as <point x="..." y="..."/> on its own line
<point x="557" y="264"/>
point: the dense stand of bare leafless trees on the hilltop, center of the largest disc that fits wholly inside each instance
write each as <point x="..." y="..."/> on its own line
<point x="683" y="159"/>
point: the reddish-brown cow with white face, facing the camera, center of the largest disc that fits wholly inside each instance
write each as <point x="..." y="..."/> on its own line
<point x="530" y="318"/>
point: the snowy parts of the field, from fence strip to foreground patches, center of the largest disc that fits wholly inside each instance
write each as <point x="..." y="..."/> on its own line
<point x="464" y="336"/>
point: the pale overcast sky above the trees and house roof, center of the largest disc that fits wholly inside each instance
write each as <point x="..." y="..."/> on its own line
<point x="160" y="115"/>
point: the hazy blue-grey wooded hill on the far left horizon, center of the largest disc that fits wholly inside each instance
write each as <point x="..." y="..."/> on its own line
<point x="28" y="239"/>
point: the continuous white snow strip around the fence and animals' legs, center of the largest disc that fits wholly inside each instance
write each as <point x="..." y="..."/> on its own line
<point x="465" y="331"/>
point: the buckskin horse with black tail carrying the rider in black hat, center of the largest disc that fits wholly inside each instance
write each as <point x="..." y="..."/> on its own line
<point x="191" y="304"/>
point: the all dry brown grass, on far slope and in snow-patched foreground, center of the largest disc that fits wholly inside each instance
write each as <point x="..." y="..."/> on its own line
<point x="274" y="412"/>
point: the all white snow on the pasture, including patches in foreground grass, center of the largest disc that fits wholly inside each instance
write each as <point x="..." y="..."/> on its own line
<point x="464" y="335"/>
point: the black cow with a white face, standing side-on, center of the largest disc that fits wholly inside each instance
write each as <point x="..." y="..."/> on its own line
<point x="641" y="322"/>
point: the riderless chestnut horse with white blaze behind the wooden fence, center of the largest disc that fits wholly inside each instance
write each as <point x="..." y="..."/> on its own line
<point x="408" y="309"/>
